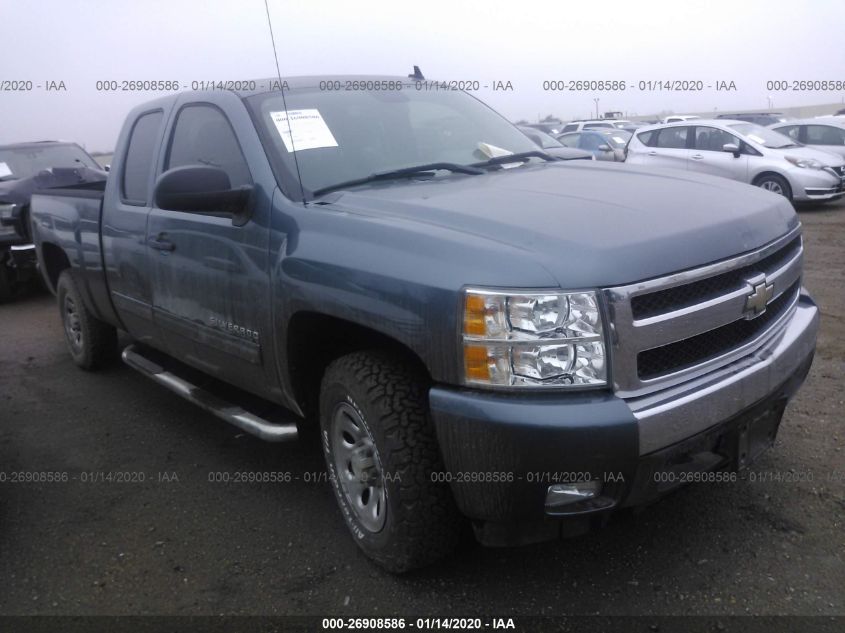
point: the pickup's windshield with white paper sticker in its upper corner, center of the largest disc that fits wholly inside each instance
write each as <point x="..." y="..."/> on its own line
<point x="345" y="135"/>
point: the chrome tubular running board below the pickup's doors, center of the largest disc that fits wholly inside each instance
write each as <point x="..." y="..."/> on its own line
<point x="284" y="431"/>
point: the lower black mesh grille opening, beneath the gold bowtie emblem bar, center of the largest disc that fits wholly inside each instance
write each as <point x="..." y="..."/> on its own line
<point x="708" y="345"/>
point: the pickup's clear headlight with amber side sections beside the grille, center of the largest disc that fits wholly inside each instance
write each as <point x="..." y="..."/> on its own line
<point x="533" y="339"/>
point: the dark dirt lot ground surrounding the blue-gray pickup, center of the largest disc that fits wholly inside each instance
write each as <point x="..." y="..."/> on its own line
<point x="176" y="543"/>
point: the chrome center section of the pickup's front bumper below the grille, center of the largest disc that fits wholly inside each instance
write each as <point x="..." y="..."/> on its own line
<point x="676" y="413"/>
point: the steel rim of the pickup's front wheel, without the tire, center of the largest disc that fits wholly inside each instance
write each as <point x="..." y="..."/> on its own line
<point x="358" y="467"/>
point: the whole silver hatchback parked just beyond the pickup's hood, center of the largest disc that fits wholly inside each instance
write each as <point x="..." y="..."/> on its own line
<point x="742" y="151"/>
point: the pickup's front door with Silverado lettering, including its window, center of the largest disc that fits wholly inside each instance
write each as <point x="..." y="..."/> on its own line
<point x="210" y="279"/>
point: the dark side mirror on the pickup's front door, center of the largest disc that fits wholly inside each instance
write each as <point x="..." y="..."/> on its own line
<point x="202" y="189"/>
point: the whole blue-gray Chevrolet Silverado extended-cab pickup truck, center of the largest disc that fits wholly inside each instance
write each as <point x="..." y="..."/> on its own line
<point x="475" y="330"/>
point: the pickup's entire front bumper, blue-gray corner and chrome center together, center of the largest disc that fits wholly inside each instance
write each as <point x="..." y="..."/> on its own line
<point x="503" y="451"/>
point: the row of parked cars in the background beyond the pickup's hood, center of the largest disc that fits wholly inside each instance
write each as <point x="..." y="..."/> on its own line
<point x="803" y="160"/>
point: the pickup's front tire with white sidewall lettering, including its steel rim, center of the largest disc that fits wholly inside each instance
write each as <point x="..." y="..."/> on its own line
<point x="381" y="453"/>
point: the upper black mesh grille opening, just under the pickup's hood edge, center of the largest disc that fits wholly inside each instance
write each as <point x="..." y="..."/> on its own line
<point x="678" y="297"/>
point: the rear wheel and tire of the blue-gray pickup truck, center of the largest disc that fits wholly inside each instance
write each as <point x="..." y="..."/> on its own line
<point x="92" y="343"/>
